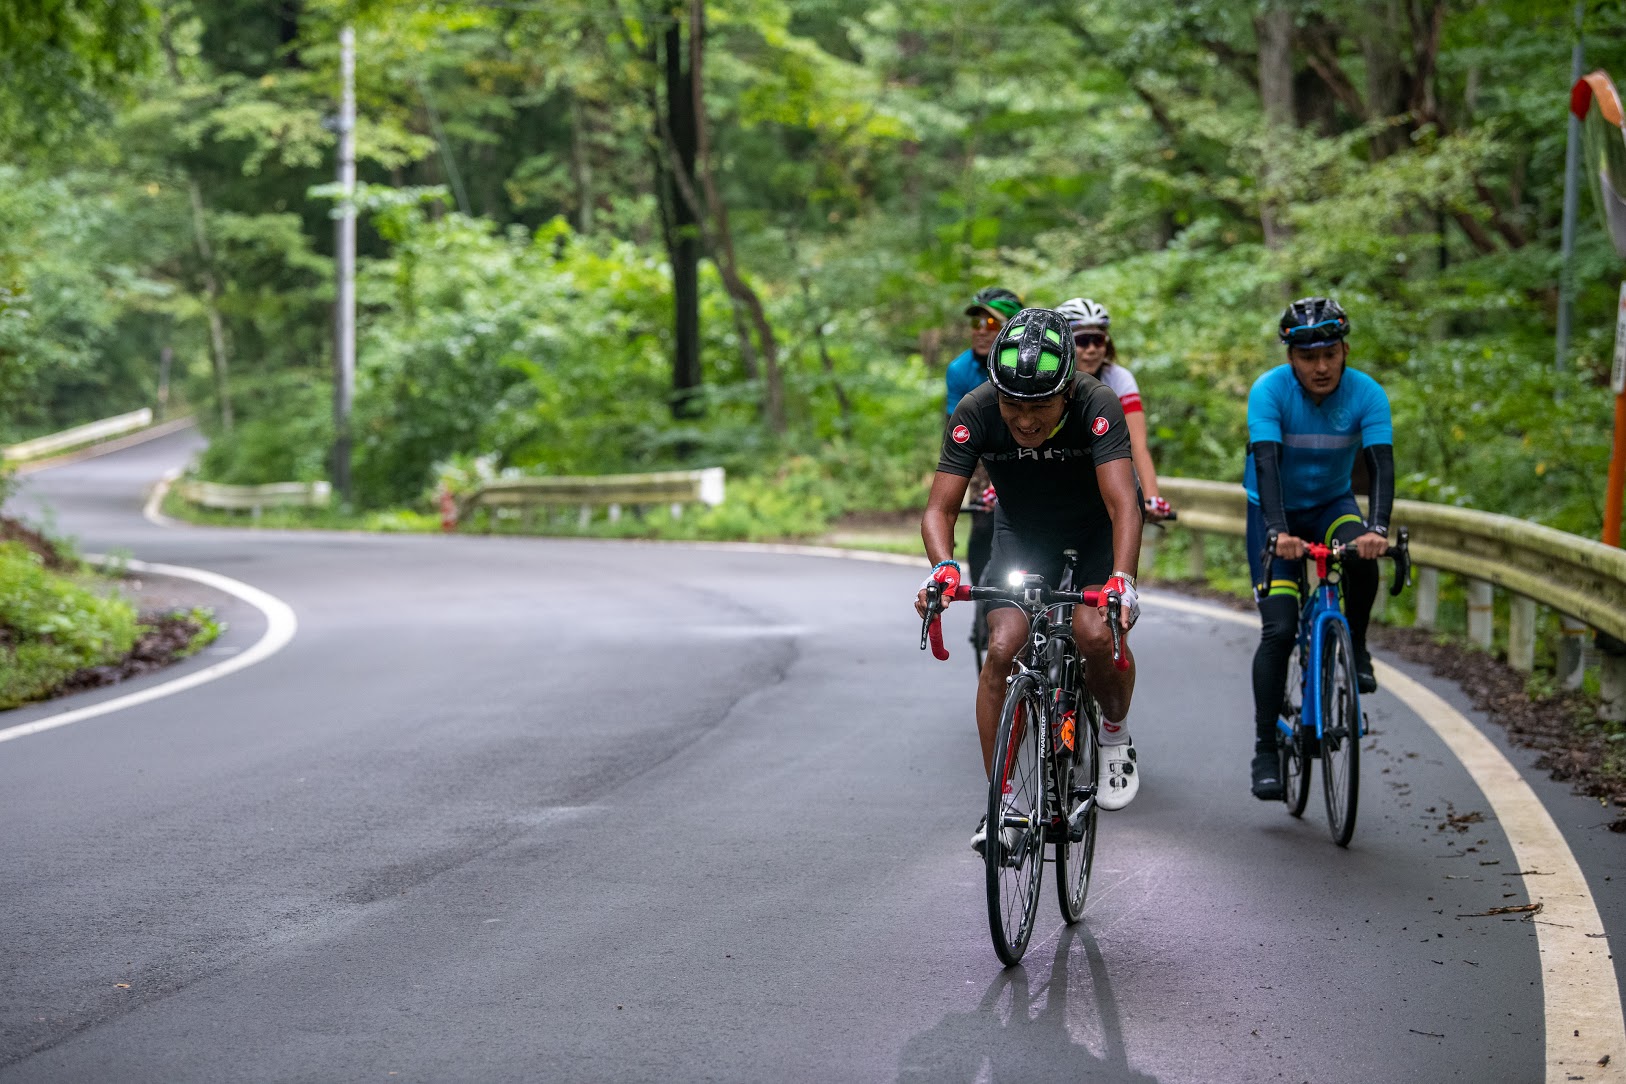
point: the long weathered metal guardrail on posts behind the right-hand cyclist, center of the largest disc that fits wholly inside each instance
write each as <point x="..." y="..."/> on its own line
<point x="1575" y="576"/>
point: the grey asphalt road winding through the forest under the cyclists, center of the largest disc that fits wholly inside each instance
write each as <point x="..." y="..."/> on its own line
<point x="537" y="810"/>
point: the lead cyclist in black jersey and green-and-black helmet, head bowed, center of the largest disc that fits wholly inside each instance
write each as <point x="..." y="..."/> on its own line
<point x="1056" y="448"/>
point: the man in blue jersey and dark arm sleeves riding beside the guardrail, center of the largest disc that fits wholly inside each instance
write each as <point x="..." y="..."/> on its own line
<point x="1308" y="422"/>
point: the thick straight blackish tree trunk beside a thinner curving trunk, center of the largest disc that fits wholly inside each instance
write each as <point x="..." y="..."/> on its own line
<point x="684" y="241"/>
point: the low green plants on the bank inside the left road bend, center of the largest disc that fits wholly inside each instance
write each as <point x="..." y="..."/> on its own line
<point x="53" y="625"/>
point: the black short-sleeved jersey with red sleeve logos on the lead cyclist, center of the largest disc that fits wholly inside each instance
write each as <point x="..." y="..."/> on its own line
<point x="1033" y="482"/>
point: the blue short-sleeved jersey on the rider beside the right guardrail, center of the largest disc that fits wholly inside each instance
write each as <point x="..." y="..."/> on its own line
<point x="1319" y="443"/>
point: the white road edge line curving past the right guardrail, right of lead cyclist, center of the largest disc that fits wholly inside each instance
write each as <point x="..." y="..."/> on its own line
<point x="1580" y="992"/>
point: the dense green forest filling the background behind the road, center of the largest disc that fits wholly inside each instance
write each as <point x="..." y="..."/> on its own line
<point x="628" y="235"/>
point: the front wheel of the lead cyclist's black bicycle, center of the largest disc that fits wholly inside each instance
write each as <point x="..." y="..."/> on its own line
<point x="1014" y="852"/>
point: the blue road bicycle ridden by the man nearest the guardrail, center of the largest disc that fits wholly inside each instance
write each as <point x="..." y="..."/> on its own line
<point x="1321" y="714"/>
